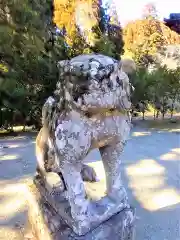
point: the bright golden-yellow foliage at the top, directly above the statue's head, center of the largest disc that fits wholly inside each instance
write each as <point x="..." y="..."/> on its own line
<point x="69" y="13"/>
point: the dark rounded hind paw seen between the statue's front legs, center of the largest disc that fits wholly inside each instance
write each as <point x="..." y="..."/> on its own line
<point x="88" y="174"/>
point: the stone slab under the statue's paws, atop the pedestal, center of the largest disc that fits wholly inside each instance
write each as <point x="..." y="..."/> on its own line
<point x="99" y="210"/>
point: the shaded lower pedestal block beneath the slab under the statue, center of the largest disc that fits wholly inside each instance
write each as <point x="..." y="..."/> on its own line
<point x="118" y="227"/>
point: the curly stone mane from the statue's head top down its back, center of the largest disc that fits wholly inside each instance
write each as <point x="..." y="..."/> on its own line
<point x="75" y="77"/>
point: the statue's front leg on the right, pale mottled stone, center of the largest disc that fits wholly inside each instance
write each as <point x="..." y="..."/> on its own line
<point x="112" y="163"/>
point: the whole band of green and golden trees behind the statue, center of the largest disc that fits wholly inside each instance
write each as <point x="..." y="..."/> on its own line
<point x="30" y="47"/>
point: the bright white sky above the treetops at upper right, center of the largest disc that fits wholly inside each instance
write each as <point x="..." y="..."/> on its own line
<point x="131" y="9"/>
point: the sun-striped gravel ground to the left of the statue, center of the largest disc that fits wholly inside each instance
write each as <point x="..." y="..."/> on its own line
<point x="17" y="166"/>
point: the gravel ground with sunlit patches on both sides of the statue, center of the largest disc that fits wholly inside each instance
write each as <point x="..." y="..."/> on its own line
<point x="151" y="173"/>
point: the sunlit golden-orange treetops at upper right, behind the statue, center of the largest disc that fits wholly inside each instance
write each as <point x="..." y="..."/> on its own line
<point x="147" y="36"/>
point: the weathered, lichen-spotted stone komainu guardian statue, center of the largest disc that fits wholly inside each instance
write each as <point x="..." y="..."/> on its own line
<point x="89" y="109"/>
